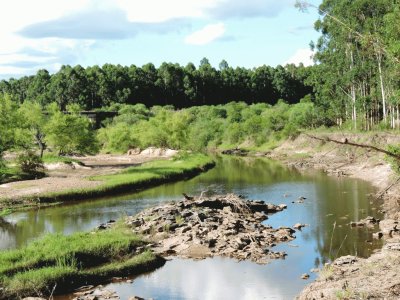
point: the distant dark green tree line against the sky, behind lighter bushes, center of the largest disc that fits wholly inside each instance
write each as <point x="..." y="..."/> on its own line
<point x="171" y="84"/>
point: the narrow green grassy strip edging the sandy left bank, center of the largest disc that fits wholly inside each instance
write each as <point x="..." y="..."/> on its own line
<point x="134" y="178"/>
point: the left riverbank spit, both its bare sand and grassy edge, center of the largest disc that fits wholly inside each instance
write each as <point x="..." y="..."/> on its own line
<point x="100" y="177"/>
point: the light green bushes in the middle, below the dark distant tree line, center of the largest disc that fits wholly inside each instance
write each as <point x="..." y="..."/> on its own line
<point x="208" y="127"/>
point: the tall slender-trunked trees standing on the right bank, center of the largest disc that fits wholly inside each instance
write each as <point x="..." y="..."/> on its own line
<point x="356" y="81"/>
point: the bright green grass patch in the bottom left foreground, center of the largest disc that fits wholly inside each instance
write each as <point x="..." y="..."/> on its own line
<point x="63" y="263"/>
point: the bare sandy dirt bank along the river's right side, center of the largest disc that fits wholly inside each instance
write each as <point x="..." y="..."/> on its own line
<point x="354" y="278"/>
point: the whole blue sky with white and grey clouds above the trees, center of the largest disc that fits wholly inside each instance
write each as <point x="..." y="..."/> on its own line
<point x="46" y="34"/>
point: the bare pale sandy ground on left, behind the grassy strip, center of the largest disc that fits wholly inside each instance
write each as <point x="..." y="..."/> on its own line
<point x="66" y="177"/>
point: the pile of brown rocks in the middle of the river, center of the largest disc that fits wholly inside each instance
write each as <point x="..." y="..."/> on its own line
<point x="221" y="225"/>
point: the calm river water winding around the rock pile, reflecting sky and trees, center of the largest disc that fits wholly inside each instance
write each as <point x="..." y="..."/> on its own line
<point x="331" y="203"/>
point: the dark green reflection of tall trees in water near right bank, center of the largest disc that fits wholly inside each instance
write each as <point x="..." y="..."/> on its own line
<point x="341" y="201"/>
